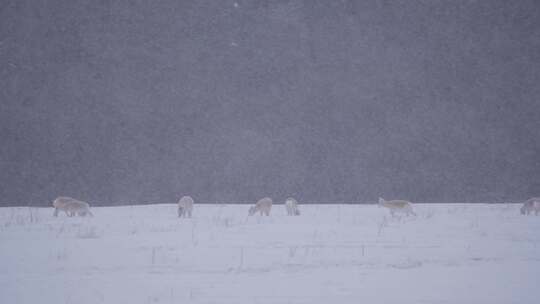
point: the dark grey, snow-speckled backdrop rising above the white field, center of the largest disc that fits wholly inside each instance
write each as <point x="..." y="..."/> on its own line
<point x="144" y="101"/>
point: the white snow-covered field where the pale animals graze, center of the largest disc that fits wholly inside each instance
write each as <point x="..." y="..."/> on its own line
<point x="330" y="254"/>
